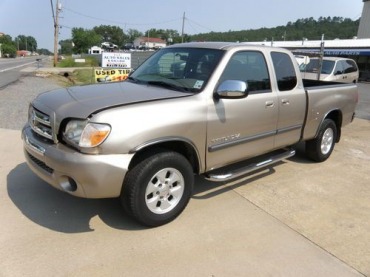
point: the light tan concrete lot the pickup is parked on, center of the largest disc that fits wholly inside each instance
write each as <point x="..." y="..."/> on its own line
<point x="296" y="218"/>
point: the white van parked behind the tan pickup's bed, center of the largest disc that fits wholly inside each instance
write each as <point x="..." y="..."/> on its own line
<point x="334" y="69"/>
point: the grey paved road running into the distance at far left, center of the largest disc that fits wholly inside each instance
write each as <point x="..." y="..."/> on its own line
<point x="10" y="69"/>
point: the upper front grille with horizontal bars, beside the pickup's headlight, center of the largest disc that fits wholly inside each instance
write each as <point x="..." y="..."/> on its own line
<point x="40" y="124"/>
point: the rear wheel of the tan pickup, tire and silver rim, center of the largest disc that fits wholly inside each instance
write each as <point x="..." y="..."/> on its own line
<point x="320" y="148"/>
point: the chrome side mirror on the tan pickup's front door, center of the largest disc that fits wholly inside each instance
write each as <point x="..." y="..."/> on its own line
<point x="232" y="89"/>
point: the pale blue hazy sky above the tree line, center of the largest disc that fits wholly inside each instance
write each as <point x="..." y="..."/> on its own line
<point x="34" y="17"/>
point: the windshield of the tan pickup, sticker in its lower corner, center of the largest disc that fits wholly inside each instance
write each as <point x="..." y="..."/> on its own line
<point x="182" y="69"/>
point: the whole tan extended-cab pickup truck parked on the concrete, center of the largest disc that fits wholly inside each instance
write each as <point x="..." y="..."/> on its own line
<point x="215" y="109"/>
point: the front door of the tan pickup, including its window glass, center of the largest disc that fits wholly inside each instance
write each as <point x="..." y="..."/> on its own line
<point x="242" y="128"/>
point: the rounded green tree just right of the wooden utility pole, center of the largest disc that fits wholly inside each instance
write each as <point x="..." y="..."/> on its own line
<point x="83" y="39"/>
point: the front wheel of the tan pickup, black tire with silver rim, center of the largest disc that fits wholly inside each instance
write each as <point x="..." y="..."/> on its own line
<point x="158" y="188"/>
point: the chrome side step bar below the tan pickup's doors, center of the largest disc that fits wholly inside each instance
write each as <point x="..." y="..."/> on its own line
<point x="223" y="176"/>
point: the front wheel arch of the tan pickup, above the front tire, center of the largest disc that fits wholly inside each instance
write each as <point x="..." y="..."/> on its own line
<point x="179" y="145"/>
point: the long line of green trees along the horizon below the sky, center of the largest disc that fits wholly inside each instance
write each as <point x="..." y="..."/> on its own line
<point x="83" y="39"/>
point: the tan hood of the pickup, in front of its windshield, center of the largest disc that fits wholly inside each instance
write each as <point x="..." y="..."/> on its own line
<point x="82" y="101"/>
